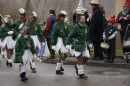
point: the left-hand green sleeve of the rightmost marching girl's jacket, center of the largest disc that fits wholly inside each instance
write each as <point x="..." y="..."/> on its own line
<point x="71" y="35"/>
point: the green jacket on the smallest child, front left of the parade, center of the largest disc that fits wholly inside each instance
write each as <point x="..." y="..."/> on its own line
<point x="24" y="44"/>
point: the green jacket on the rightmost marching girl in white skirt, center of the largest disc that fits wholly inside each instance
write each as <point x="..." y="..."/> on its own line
<point x="80" y="35"/>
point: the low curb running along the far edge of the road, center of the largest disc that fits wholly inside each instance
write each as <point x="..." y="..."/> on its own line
<point x="90" y="63"/>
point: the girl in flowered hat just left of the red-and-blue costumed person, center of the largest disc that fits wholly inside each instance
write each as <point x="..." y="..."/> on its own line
<point x="36" y="34"/>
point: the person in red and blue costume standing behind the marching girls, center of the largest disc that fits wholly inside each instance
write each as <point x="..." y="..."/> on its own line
<point x="47" y="32"/>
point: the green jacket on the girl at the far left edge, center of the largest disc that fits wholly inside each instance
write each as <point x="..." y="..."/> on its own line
<point x="4" y="32"/>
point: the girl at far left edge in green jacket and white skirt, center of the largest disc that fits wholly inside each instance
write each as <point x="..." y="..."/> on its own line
<point x="6" y="39"/>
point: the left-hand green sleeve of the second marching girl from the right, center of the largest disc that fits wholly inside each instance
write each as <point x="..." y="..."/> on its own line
<point x="54" y="35"/>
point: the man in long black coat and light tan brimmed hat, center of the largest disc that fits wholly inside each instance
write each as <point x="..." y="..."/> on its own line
<point x="96" y="30"/>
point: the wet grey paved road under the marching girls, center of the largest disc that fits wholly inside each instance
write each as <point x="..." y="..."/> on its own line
<point x="46" y="76"/>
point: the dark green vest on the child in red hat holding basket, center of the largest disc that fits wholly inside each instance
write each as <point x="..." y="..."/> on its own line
<point x="108" y="32"/>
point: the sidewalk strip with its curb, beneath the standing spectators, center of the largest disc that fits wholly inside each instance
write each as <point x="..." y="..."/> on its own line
<point x="118" y="63"/>
